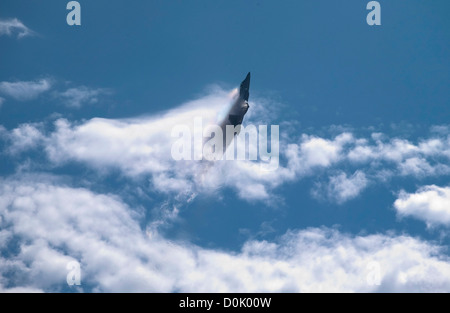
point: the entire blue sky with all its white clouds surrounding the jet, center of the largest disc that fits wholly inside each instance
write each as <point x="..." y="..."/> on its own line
<point x="85" y="113"/>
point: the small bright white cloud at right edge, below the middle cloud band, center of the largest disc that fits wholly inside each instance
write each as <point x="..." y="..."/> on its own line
<point x="430" y="204"/>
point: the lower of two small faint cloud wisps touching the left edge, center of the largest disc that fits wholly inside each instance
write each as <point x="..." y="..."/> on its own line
<point x="25" y="90"/>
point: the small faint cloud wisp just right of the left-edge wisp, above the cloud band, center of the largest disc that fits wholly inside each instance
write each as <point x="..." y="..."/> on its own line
<point x="77" y="97"/>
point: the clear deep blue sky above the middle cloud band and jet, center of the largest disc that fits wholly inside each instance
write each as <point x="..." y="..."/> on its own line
<point x="320" y="58"/>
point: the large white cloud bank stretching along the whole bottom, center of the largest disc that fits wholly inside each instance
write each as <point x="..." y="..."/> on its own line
<point x="53" y="224"/>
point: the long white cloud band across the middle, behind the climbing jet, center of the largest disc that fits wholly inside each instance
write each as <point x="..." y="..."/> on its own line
<point x="343" y="165"/>
